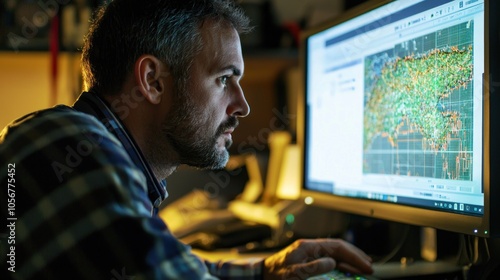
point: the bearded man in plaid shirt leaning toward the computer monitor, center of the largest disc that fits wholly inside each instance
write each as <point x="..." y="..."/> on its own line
<point x="162" y="81"/>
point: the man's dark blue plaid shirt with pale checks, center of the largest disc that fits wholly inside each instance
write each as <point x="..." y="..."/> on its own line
<point x="84" y="203"/>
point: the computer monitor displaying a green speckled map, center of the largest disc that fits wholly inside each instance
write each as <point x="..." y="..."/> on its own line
<point x="401" y="114"/>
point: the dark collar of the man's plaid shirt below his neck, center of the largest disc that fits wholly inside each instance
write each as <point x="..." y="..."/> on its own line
<point x="92" y="104"/>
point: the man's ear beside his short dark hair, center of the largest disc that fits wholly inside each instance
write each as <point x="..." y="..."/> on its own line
<point x="149" y="74"/>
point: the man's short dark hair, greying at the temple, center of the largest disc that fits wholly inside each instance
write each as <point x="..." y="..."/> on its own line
<point x="124" y="30"/>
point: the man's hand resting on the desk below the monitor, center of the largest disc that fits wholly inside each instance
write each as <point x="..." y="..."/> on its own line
<point x="306" y="258"/>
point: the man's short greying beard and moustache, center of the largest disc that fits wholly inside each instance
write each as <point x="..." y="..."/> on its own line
<point x="190" y="135"/>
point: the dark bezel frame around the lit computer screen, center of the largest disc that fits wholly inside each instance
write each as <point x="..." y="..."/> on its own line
<point x="483" y="226"/>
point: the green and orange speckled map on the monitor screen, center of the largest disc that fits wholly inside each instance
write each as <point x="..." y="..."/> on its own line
<point x="418" y="113"/>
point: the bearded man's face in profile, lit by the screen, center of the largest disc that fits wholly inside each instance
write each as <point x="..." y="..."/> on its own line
<point x="203" y="116"/>
